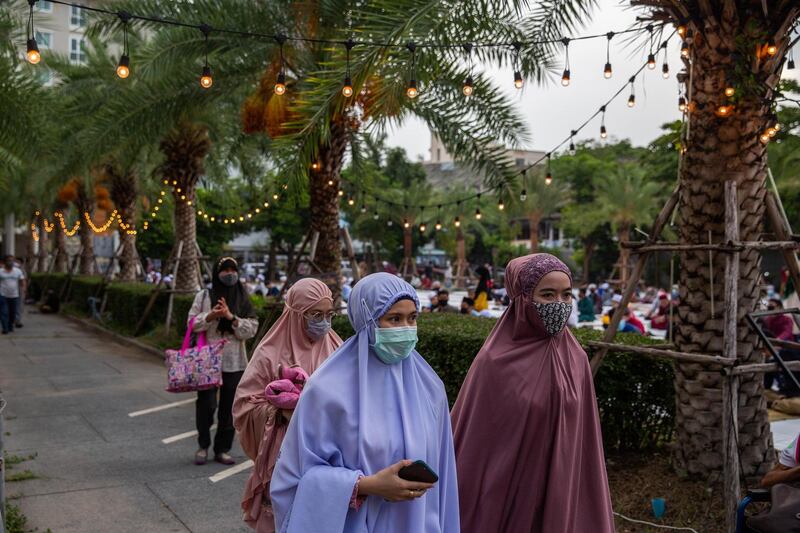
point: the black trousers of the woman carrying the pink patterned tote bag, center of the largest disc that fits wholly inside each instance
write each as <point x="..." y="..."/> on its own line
<point x="204" y="413"/>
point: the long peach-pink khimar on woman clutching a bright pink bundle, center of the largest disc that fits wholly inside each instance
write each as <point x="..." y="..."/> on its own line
<point x="260" y="426"/>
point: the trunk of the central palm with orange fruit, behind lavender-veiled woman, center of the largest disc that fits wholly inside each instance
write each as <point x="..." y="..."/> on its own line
<point x="324" y="202"/>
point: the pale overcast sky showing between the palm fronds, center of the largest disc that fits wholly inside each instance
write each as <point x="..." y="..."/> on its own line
<point x="551" y="111"/>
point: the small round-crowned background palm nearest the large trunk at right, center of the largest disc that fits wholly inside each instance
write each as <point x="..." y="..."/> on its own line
<point x="626" y="199"/>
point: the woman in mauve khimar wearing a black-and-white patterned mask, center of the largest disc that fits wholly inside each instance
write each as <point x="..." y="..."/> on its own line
<point x="529" y="451"/>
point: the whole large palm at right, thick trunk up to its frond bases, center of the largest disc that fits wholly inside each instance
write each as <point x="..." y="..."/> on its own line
<point x="742" y="43"/>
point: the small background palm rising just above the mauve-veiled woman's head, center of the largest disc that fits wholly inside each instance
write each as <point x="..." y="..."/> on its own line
<point x="541" y="199"/>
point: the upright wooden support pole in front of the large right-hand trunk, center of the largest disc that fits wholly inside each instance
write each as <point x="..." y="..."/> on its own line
<point x="730" y="383"/>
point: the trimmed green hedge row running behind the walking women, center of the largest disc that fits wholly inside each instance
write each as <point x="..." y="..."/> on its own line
<point x="635" y="395"/>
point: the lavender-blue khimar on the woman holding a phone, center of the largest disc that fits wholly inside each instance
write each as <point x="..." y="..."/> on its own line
<point x="358" y="416"/>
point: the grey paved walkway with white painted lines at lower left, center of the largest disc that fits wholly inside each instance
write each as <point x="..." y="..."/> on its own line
<point x="69" y="394"/>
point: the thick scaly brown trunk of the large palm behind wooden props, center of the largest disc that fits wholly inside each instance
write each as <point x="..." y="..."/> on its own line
<point x="719" y="149"/>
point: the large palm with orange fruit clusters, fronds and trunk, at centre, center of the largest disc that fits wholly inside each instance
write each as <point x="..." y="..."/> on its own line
<point x="315" y="123"/>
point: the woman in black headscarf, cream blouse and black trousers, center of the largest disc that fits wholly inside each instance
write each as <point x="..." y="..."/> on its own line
<point x="224" y="312"/>
